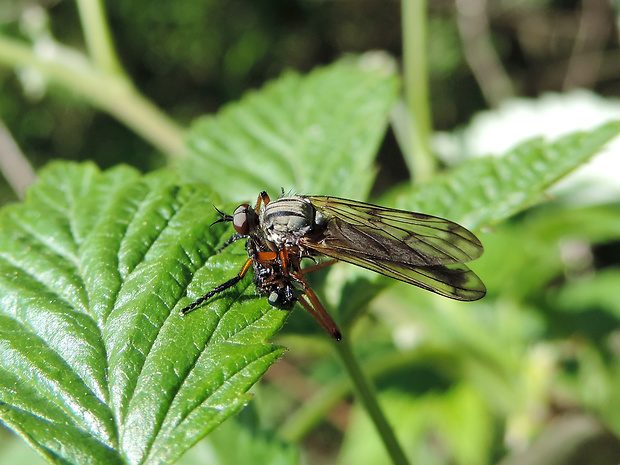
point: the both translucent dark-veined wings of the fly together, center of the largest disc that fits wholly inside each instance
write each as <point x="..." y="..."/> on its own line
<point x="414" y="248"/>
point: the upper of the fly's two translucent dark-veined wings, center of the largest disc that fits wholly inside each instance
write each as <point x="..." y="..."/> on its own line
<point x="384" y="234"/>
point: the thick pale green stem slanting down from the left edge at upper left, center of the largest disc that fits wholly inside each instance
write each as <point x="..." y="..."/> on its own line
<point x="112" y="93"/>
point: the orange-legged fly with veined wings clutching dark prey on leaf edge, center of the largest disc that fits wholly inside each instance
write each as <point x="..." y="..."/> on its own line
<point x="418" y="249"/>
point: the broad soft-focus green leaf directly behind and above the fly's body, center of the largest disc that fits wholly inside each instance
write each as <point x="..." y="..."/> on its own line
<point x="314" y="134"/>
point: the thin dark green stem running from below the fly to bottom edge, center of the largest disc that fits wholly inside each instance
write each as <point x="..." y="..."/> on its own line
<point x="369" y="400"/>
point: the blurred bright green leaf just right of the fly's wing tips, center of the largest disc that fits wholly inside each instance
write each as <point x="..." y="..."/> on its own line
<point x="534" y="260"/>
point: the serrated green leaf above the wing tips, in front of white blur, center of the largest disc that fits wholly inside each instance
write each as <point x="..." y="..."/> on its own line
<point x="488" y="190"/>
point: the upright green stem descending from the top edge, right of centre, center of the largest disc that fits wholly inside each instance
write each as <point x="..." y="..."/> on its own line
<point x="419" y="157"/>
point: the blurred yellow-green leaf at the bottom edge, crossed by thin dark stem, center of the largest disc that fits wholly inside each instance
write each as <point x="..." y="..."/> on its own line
<point x="456" y="422"/>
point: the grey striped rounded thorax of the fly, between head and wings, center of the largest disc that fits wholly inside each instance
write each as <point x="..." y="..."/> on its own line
<point x="285" y="220"/>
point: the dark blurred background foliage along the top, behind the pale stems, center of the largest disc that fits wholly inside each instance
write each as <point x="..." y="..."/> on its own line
<point x="192" y="57"/>
